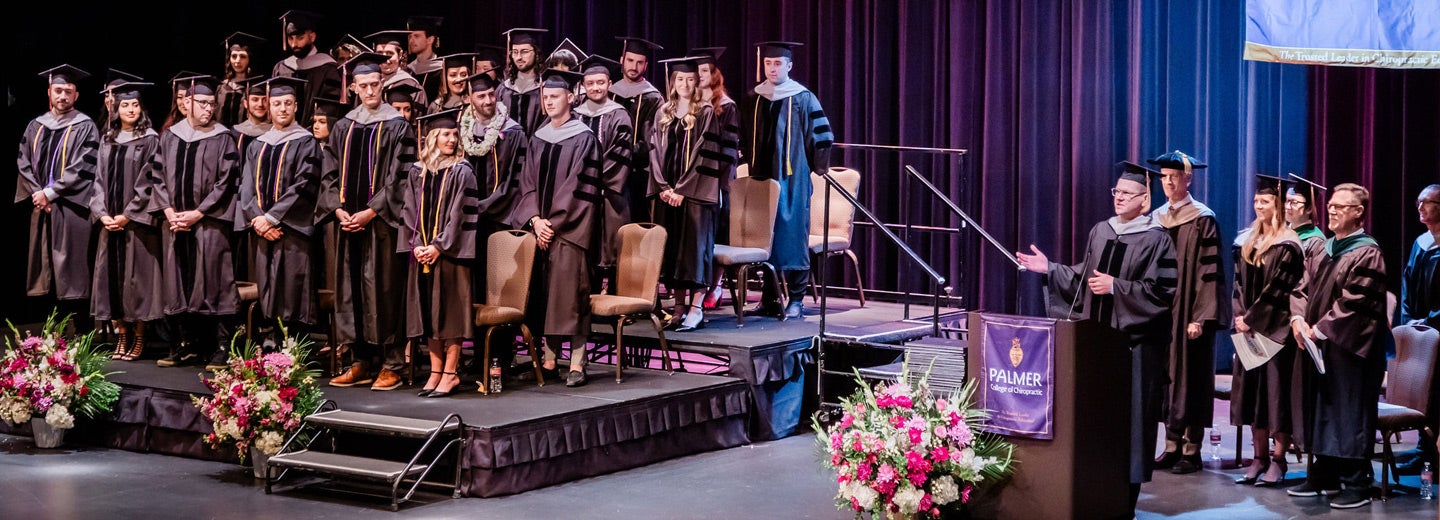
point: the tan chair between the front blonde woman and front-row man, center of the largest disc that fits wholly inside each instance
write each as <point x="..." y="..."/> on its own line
<point x="509" y="267"/>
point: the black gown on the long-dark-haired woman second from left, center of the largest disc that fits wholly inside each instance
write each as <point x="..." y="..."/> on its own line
<point x="127" y="263"/>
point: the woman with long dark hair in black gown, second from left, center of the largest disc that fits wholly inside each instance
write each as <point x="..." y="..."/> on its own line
<point x="126" y="286"/>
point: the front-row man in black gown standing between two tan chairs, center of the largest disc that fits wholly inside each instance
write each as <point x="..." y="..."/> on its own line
<point x="559" y="201"/>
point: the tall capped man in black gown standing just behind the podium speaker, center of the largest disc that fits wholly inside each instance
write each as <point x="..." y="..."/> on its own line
<point x="1202" y="309"/>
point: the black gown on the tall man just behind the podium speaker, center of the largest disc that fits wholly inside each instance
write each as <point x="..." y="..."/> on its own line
<point x="1200" y="297"/>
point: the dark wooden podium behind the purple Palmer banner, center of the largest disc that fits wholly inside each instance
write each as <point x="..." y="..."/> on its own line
<point x="1084" y="472"/>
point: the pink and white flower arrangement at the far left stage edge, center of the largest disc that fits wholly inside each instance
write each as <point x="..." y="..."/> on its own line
<point x="54" y="377"/>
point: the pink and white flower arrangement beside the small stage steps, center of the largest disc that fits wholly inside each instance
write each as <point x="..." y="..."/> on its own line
<point x="260" y="398"/>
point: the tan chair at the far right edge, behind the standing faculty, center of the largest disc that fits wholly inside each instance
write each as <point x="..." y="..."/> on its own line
<point x="1412" y="381"/>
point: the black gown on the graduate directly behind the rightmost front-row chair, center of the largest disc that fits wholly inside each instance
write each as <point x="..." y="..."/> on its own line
<point x="614" y="133"/>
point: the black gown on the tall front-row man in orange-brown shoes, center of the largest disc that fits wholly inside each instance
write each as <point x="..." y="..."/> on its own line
<point x="374" y="153"/>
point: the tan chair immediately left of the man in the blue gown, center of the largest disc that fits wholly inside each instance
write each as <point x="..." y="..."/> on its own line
<point x="752" y="233"/>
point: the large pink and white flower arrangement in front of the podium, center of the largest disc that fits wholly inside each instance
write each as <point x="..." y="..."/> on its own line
<point x="902" y="452"/>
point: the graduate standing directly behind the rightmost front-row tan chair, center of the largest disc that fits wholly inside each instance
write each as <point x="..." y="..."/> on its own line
<point x="614" y="132"/>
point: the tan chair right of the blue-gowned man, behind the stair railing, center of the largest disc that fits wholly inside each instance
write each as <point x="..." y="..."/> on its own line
<point x="842" y="224"/>
